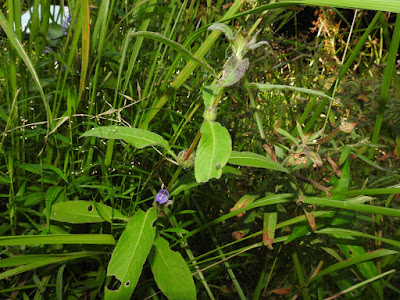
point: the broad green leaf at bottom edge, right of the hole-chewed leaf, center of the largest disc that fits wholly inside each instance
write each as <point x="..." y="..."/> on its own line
<point x="171" y="272"/>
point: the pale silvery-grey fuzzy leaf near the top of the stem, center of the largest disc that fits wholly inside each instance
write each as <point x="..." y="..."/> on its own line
<point x="234" y="69"/>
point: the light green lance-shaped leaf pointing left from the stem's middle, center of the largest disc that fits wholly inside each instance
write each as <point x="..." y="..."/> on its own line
<point x="138" y="138"/>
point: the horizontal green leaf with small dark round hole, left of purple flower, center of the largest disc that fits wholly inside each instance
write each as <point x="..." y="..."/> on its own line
<point x="79" y="212"/>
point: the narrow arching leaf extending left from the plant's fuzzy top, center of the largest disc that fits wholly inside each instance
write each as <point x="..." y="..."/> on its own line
<point x="174" y="45"/>
